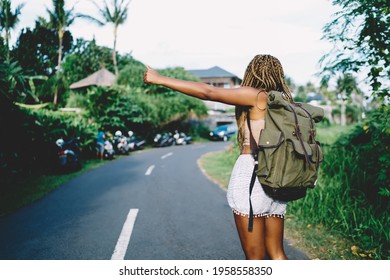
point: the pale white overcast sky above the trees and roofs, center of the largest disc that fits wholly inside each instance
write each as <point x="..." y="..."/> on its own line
<point x="199" y="34"/>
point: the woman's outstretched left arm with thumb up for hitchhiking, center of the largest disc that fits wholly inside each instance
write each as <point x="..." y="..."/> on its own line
<point x="245" y="96"/>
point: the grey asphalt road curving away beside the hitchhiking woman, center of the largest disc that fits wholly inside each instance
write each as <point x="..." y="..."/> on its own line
<point x="151" y="205"/>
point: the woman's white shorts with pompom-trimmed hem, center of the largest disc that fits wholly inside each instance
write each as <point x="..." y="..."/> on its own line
<point x="238" y="192"/>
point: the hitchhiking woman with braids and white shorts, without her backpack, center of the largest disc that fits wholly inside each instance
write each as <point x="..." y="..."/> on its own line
<point x="263" y="74"/>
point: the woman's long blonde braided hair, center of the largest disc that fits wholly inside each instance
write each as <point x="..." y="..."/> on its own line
<point x="264" y="72"/>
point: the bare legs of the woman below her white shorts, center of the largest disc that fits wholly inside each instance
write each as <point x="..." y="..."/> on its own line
<point x="265" y="238"/>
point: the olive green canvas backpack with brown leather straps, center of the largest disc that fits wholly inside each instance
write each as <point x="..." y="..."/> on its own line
<point x="287" y="156"/>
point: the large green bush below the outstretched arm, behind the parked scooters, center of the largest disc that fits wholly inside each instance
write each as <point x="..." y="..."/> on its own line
<point x="125" y="108"/>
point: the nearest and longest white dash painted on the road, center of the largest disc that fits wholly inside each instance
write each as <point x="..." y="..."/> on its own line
<point x="124" y="237"/>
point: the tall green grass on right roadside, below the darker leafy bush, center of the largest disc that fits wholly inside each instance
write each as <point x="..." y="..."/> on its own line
<point x="334" y="204"/>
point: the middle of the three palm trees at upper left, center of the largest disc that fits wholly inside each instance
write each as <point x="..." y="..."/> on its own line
<point x="60" y="19"/>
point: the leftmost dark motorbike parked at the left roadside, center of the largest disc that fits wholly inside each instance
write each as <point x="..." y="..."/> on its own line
<point x="69" y="154"/>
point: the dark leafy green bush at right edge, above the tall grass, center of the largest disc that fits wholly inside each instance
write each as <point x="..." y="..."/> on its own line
<point x="368" y="145"/>
